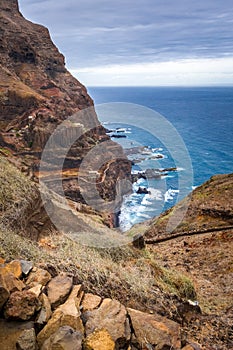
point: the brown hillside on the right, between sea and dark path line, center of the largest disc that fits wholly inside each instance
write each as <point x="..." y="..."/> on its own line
<point x="209" y="208"/>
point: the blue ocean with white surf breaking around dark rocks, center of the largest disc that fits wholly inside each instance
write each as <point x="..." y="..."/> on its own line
<point x="202" y="117"/>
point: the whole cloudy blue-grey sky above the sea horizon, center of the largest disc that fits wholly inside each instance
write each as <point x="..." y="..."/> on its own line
<point x="141" y="42"/>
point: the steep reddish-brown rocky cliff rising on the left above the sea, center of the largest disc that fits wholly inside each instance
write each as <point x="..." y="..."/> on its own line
<point x="37" y="93"/>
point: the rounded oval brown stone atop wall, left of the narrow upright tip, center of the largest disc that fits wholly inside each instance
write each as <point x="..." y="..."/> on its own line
<point x="58" y="289"/>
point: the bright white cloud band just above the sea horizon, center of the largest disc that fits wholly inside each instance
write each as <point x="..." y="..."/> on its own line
<point x="187" y="72"/>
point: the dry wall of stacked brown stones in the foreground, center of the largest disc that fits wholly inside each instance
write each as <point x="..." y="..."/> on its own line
<point x="79" y="321"/>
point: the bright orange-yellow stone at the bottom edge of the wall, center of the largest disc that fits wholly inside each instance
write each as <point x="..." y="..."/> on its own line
<point x="99" y="340"/>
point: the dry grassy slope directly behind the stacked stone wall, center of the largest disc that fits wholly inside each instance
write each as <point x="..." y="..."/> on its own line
<point x="130" y="275"/>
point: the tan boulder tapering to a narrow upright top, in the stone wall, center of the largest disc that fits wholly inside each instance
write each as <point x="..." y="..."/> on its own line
<point x="67" y="314"/>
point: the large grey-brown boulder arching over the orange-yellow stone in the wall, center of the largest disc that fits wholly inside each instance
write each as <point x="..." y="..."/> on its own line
<point x="112" y="316"/>
